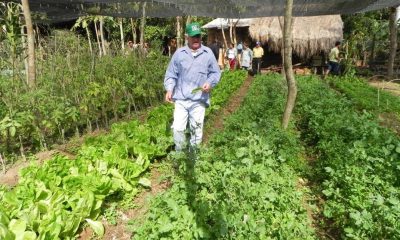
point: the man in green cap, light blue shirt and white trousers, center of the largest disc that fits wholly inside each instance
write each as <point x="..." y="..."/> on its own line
<point x="190" y="76"/>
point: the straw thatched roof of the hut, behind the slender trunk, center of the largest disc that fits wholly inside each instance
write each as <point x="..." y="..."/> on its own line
<point x="310" y="34"/>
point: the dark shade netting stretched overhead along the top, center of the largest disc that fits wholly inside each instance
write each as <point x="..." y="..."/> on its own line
<point x="58" y="10"/>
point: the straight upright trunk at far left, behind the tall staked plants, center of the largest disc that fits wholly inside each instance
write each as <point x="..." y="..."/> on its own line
<point x="31" y="71"/>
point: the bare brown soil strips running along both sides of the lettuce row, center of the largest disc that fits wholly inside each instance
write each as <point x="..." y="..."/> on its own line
<point x="141" y="201"/>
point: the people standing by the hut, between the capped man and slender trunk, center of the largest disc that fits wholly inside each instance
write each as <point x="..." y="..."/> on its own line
<point x="241" y="56"/>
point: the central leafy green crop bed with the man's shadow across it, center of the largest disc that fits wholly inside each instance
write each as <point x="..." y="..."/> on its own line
<point x="243" y="185"/>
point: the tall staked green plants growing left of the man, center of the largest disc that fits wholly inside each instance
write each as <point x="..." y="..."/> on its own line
<point x="76" y="91"/>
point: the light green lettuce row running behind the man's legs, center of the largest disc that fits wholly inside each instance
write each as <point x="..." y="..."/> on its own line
<point x="52" y="201"/>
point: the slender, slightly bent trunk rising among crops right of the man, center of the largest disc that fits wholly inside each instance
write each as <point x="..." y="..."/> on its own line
<point x="291" y="82"/>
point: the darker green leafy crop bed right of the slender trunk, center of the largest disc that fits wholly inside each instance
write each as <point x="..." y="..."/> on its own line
<point x="357" y="165"/>
